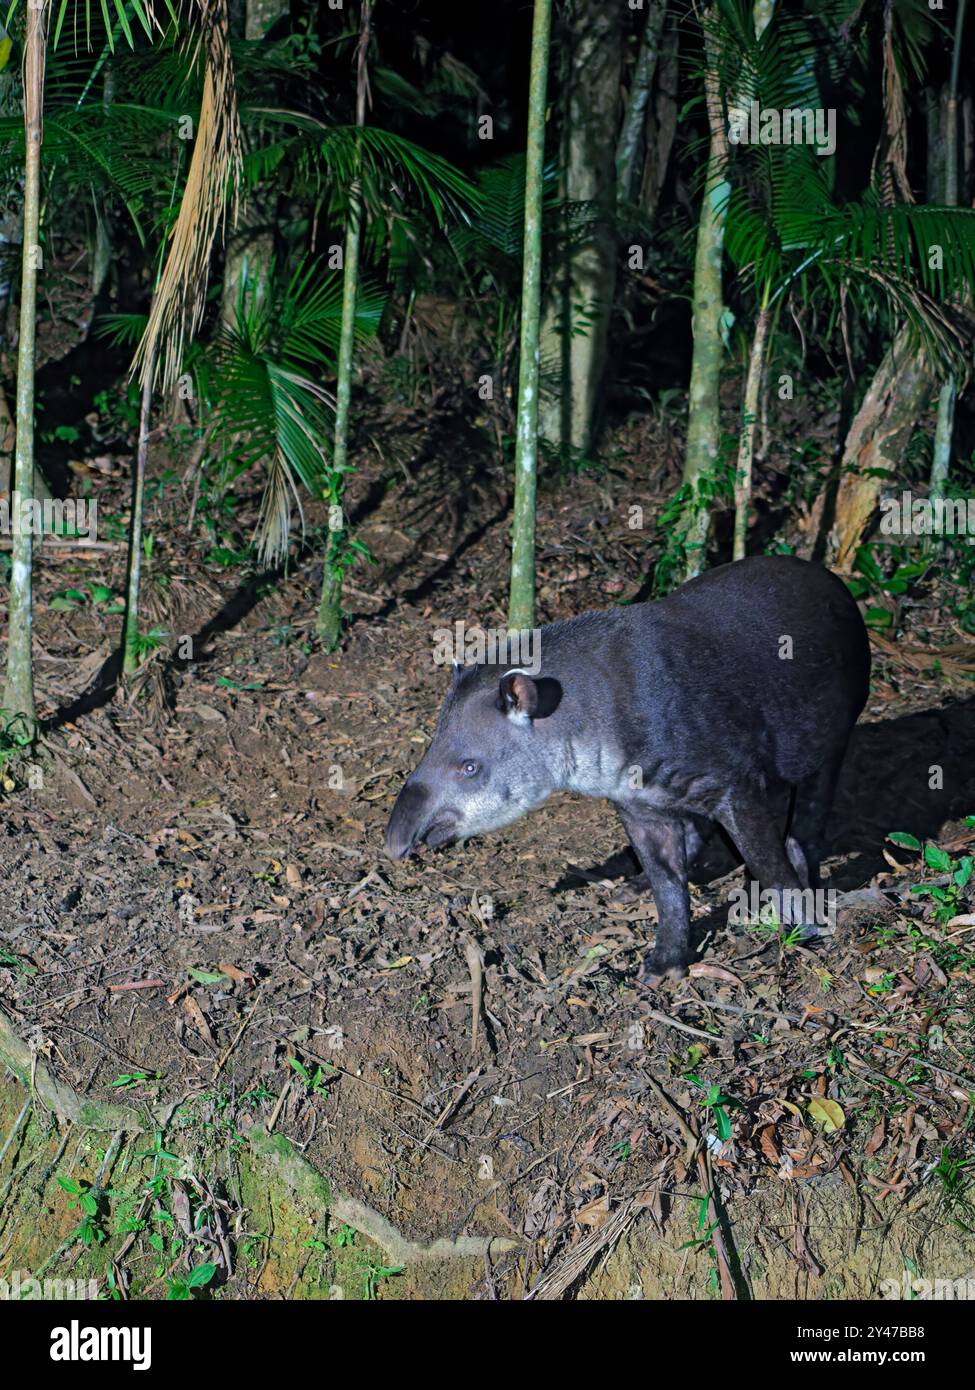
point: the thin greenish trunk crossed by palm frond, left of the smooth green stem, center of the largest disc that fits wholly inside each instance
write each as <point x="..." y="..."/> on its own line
<point x="330" y="608"/>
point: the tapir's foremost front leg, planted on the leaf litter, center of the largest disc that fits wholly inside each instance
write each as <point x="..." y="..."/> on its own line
<point x="661" y="849"/>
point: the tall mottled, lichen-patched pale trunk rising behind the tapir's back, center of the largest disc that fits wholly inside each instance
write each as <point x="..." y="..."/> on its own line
<point x="707" y="323"/>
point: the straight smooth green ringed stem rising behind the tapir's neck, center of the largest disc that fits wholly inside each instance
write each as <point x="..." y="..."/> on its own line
<point x="522" y="594"/>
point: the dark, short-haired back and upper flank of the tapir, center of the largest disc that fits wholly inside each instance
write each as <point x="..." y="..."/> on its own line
<point x="762" y="662"/>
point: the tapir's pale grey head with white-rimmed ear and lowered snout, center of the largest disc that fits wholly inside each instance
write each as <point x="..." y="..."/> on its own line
<point x="489" y="764"/>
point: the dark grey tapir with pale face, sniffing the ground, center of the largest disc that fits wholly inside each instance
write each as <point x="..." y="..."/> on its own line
<point x="727" y="701"/>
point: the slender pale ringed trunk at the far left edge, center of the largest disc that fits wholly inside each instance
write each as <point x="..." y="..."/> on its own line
<point x="19" y="696"/>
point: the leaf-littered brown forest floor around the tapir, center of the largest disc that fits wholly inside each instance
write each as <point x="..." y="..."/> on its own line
<point x="198" y="915"/>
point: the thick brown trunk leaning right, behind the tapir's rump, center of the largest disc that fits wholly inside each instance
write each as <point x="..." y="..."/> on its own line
<point x="876" y="444"/>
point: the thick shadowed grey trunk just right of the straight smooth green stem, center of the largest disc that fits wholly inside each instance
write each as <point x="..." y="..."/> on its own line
<point x="577" y="327"/>
